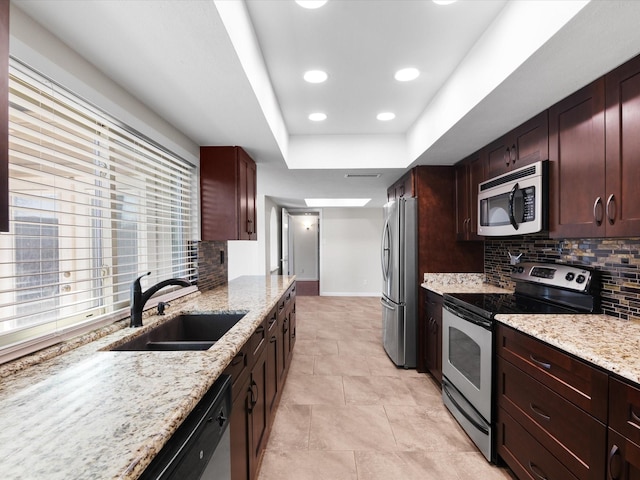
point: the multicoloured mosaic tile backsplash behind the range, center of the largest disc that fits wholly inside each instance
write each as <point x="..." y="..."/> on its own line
<point x="617" y="259"/>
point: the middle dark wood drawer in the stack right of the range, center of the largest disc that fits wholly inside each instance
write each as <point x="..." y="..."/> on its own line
<point x="573" y="436"/>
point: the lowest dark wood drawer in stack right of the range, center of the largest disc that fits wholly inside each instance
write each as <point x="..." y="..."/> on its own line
<point x="525" y="456"/>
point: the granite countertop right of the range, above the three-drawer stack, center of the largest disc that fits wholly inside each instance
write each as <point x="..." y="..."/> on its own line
<point x="602" y="340"/>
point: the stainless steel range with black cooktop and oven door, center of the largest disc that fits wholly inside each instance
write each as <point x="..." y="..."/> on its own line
<point x="468" y="336"/>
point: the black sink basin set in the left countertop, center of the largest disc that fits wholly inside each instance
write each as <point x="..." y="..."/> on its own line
<point x="185" y="332"/>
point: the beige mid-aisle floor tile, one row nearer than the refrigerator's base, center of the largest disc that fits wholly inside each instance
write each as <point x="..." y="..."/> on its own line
<point x="377" y="391"/>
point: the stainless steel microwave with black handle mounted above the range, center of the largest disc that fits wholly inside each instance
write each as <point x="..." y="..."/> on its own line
<point x="515" y="203"/>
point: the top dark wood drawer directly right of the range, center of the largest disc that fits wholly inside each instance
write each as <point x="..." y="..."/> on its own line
<point x="578" y="382"/>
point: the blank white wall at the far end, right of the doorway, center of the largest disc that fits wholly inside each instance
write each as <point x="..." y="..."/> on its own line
<point x="350" y="251"/>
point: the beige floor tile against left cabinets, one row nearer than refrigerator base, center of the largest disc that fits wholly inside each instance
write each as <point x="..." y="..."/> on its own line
<point x="313" y="390"/>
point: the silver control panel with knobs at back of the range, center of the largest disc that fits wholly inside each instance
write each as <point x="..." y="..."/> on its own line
<point x="554" y="275"/>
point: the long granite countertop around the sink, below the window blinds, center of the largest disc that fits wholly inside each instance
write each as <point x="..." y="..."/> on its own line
<point x="93" y="413"/>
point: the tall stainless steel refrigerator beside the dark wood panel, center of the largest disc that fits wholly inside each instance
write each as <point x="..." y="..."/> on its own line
<point x="400" y="281"/>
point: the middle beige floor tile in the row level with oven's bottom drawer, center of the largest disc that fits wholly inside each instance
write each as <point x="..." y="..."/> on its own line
<point x="350" y="428"/>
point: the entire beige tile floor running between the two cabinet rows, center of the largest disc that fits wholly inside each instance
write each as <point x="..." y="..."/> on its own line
<point x="347" y="413"/>
